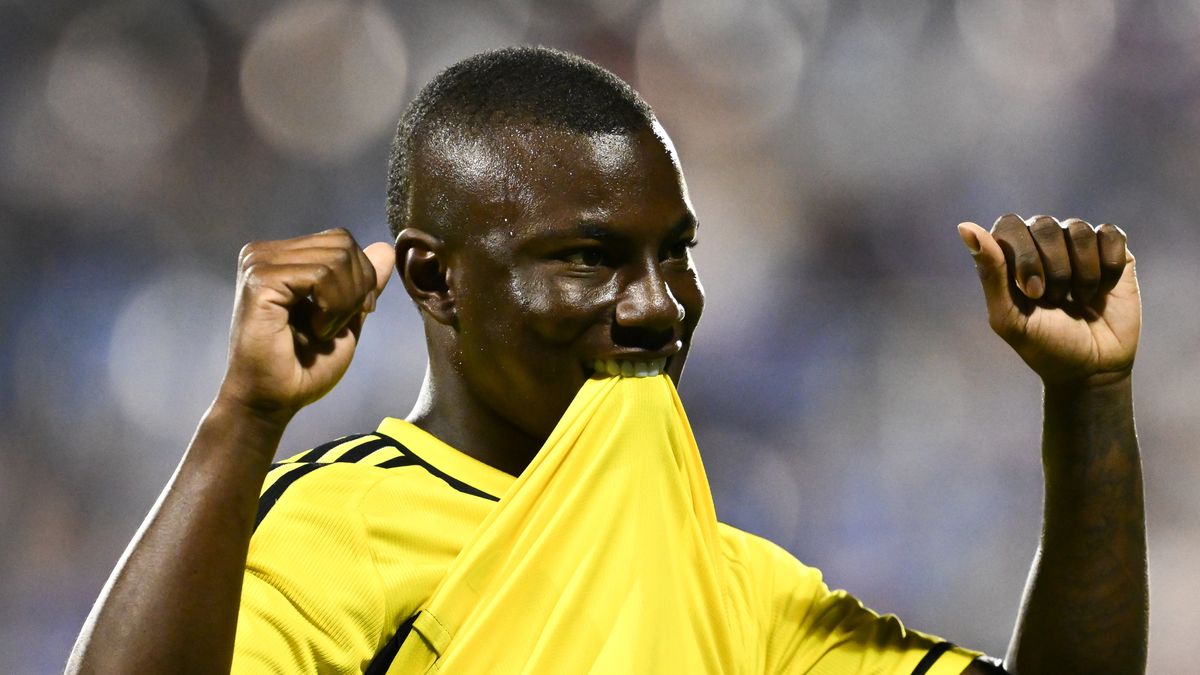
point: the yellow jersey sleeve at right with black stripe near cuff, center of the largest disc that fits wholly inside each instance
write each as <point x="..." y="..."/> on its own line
<point x="808" y="629"/>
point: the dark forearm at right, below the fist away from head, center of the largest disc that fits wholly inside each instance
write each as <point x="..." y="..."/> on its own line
<point x="1087" y="604"/>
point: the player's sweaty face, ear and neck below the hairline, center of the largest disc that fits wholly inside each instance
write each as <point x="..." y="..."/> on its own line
<point x="589" y="260"/>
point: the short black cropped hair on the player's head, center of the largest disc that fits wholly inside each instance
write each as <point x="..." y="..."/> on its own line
<point x="535" y="87"/>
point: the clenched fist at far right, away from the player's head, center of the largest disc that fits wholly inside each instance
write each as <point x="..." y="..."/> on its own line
<point x="1063" y="295"/>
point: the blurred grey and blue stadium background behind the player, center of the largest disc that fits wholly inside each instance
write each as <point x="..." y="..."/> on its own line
<point x="849" y="397"/>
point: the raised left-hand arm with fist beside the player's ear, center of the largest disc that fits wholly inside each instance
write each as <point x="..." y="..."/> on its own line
<point x="171" y="605"/>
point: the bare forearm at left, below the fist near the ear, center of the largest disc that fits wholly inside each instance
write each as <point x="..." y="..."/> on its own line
<point x="172" y="602"/>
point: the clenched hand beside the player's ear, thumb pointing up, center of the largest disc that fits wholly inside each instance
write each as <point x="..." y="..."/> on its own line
<point x="299" y="310"/>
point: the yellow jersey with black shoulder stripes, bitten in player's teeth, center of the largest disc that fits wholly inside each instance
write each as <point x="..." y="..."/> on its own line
<point x="394" y="553"/>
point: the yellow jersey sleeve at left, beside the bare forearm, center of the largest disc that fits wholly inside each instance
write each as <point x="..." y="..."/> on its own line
<point x="311" y="599"/>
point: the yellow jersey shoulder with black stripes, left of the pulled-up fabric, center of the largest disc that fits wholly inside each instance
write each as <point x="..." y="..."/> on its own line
<point x="350" y="540"/>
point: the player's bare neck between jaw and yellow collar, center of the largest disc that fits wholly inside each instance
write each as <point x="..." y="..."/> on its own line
<point x="457" y="419"/>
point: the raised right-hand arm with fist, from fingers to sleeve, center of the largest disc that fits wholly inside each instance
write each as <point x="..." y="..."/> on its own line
<point x="1066" y="298"/>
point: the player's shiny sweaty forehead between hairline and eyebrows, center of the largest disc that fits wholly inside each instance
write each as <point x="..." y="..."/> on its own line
<point x="537" y="178"/>
